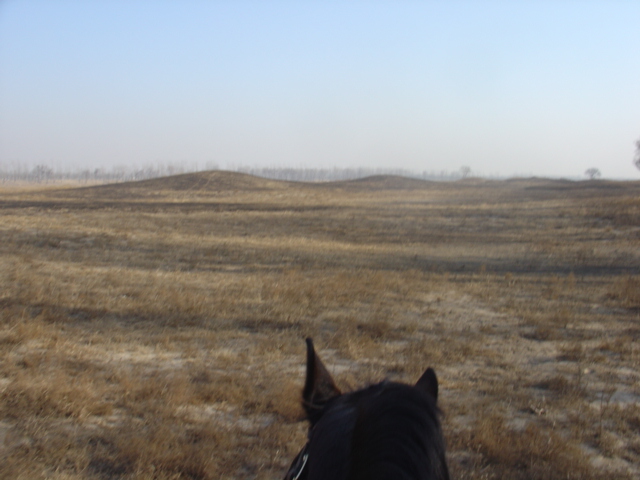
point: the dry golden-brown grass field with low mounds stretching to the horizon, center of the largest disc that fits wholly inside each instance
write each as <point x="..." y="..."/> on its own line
<point x="155" y="330"/>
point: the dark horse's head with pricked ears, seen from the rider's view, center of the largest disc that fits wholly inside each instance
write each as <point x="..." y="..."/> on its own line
<point x="385" y="431"/>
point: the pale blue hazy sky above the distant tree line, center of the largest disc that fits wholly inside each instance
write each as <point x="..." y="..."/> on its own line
<point x="545" y="88"/>
